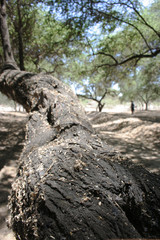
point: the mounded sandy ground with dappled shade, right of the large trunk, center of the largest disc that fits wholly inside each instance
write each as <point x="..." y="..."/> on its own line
<point x="136" y="136"/>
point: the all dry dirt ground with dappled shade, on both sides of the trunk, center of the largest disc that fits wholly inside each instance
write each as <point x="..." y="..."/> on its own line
<point x="136" y="136"/>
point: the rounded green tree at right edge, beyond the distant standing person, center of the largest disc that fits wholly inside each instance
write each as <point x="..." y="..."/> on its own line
<point x="143" y="83"/>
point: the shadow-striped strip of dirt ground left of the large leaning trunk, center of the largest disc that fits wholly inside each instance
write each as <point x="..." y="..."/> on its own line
<point x="12" y="134"/>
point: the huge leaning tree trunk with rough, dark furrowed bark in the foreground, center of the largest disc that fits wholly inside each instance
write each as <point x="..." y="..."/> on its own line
<point x="71" y="185"/>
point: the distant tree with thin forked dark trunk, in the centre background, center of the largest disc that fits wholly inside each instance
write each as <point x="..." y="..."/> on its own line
<point x="89" y="81"/>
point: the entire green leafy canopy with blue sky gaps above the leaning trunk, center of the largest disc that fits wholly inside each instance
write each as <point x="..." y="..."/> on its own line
<point x="87" y="43"/>
